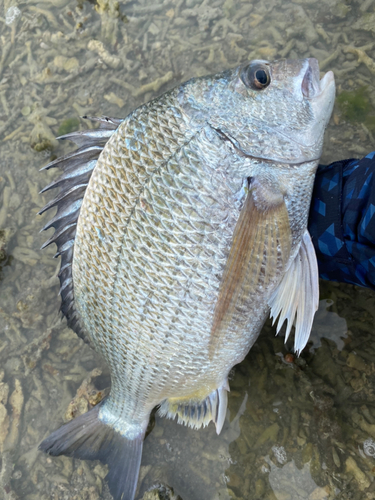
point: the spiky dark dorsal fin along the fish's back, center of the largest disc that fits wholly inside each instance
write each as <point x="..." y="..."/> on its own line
<point x="77" y="168"/>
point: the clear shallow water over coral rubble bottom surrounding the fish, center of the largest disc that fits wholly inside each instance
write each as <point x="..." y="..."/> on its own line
<point x="300" y="430"/>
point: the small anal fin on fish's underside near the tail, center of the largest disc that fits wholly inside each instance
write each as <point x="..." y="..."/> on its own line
<point x="197" y="413"/>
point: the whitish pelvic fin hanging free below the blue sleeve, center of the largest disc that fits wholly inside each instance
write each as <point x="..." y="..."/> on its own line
<point x="296" y="299"/>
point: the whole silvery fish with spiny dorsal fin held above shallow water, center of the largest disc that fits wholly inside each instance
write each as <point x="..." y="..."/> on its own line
<point x="181" y="228"/>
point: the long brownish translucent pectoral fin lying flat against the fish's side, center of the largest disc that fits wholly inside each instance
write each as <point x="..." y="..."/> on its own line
<point x="260" y="249"/>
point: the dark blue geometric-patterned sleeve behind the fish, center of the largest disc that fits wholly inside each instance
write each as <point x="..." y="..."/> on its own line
<point x="342" y="221"/>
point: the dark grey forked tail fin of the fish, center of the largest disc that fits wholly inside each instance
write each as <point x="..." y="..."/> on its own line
<point x="88" y="438"/>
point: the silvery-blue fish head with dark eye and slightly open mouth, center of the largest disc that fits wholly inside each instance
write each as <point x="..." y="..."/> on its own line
<point x="269" y="110"/>
